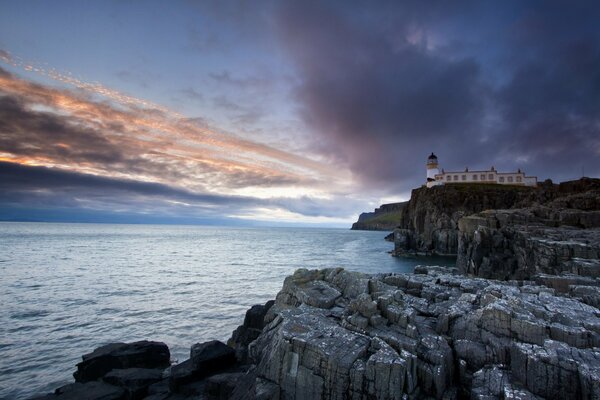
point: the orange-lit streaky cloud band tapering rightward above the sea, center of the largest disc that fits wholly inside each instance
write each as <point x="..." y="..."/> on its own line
<point x="46" y="126"/>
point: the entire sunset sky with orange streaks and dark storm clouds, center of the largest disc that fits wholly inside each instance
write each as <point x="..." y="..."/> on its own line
<point x="284" y="112"/>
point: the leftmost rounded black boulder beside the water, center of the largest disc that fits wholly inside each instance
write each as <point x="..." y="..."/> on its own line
<point x="143" y="354"/>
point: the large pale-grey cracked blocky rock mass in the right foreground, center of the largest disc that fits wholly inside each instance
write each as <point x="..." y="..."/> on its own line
<point x="436" y="334"/>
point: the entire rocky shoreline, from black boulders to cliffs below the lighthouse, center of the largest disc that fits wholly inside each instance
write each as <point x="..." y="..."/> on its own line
<point x="517" y="318"/>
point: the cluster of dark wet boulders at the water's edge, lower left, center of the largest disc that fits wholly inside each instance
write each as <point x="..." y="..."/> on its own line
<point x="141" y="370"/>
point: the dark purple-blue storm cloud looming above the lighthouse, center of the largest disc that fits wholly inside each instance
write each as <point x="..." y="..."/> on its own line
<point x="516" y="84"/>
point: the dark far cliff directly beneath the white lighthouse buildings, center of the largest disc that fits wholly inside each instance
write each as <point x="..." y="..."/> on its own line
<point x="429" y="222"/>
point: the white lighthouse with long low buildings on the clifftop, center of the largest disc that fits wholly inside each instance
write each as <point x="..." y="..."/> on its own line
<point x="435" y="177"/>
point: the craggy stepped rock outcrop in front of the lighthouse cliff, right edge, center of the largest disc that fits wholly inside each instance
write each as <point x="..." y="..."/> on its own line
<point x="524" y="245"/>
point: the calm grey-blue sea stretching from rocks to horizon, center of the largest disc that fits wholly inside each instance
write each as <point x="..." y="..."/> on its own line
<point x="66" y="289"/>
